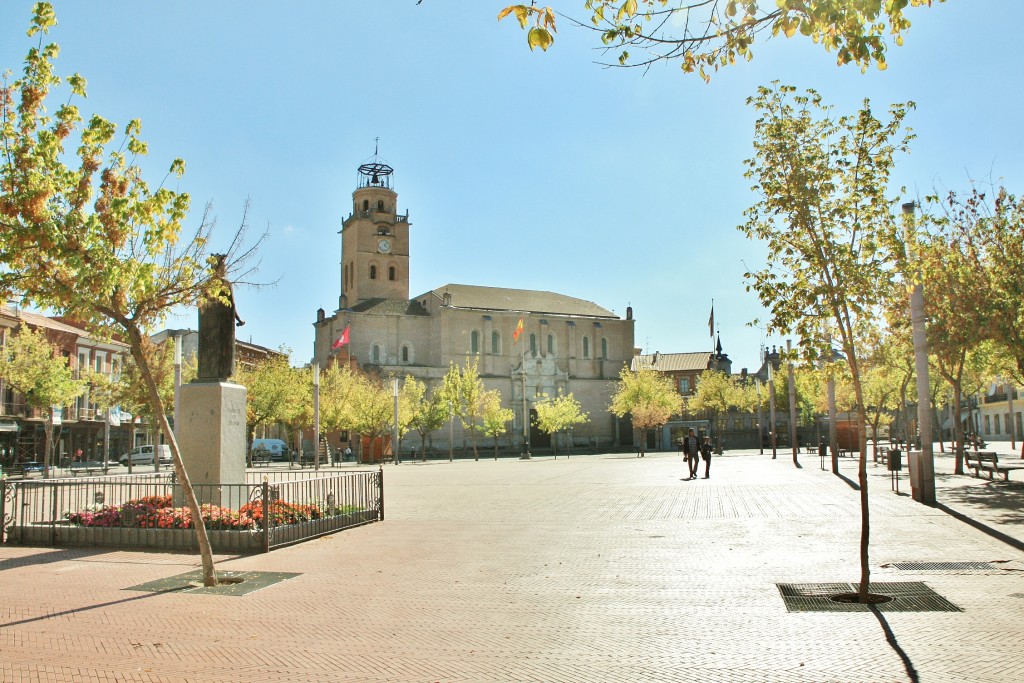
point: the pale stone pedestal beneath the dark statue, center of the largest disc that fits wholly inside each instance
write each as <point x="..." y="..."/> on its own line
<point x="212" y="439"/>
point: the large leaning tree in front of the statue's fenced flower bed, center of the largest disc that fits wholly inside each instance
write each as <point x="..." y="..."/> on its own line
<point x="83" y="234"/>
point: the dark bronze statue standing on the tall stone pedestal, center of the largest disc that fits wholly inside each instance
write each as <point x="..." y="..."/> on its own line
<point x="218" y="321"/>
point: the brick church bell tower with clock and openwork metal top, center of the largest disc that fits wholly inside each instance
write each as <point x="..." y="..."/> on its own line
<point x="374" y="240"/>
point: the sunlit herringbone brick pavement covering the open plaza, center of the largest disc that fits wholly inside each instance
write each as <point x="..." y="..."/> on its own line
<point x="601" y="569"/>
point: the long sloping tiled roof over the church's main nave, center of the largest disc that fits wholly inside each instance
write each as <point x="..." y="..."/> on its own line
<point x="530" y="302"/>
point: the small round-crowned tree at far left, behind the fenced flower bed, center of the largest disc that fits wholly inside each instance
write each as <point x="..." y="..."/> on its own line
<point x="33" y="367"/>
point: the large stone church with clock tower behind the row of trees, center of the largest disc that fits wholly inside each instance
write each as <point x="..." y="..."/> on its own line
<point x="566" y="346"/>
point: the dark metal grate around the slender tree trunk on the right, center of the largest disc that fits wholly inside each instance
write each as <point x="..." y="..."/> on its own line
<point x="908" y="597"/>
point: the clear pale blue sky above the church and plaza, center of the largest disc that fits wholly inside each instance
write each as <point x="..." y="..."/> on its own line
<point x="530" y="170"/>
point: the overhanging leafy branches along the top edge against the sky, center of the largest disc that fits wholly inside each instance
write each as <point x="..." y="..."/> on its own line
<point x="707" y="35"/>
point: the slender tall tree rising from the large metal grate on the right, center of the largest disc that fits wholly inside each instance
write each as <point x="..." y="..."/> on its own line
<point x="826" y="220"/>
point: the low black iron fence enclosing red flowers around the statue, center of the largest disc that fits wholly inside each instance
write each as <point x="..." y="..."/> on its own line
<point x="148" y="511"/>
